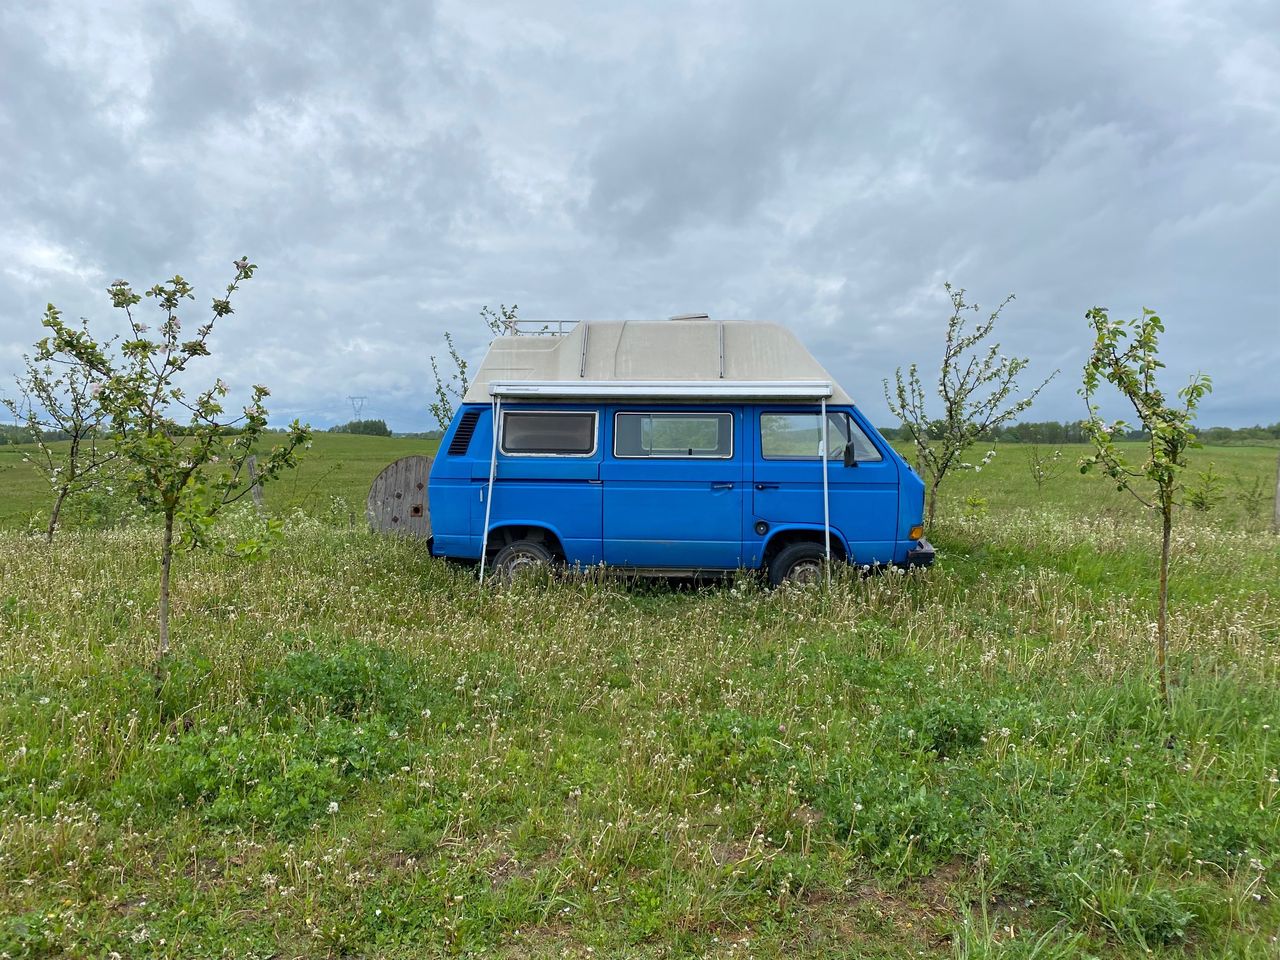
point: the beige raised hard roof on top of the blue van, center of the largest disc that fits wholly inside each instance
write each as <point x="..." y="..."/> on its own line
<point x="680" y="359"/>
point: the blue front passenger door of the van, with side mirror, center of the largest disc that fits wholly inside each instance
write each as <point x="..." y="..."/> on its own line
<point x="787" y="488"/>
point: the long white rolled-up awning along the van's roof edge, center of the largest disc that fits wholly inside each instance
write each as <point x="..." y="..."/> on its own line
<point x="664" y="390"/>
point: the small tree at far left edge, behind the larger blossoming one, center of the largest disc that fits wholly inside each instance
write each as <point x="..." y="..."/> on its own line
<point x="60" y="401"/>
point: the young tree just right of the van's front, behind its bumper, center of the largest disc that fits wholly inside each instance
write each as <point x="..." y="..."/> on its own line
<point x="977" y="390"/>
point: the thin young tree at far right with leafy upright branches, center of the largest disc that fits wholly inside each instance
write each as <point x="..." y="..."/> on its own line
<point x="1127" y="355"/>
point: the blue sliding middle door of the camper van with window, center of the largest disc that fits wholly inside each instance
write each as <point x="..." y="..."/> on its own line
<point x="674" y="490"/>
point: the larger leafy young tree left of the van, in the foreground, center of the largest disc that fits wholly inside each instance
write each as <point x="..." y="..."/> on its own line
<point x="184" y="460"/>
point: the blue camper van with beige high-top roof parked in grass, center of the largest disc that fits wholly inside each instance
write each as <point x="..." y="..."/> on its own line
<point x="682" y="447"/>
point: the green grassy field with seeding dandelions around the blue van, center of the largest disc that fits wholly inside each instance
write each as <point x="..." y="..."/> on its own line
<point x="358" y="752"/>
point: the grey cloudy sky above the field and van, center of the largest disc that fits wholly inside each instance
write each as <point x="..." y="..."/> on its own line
<point x="395" y="167"/>
